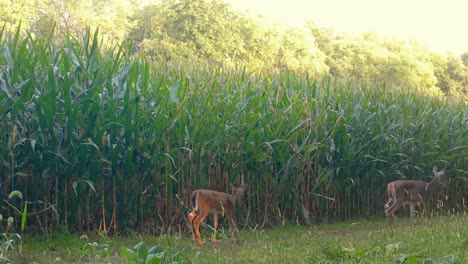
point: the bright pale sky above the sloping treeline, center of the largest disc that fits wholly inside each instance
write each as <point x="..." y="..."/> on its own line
<point x="441" y="25"/>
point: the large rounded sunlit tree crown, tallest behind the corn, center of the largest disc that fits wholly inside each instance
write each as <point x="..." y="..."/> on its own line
<point x="189" y="30"/>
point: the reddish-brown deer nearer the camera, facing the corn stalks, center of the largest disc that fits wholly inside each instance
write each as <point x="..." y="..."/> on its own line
<point x="205" y="202"/>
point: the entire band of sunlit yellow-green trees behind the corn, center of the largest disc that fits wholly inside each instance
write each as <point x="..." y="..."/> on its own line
<point x="210" y="32"/>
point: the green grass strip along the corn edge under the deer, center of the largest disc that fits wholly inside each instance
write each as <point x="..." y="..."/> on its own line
<point x="442" y="239"/>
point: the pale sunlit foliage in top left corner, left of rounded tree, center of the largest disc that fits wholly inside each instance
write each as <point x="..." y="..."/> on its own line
<point x="61" y="17"/>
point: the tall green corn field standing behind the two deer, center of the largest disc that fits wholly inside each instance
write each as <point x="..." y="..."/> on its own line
<point x="95" y="138"/>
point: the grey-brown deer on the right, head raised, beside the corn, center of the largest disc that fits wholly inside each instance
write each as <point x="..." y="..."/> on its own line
<point x="410" y="192"/>
